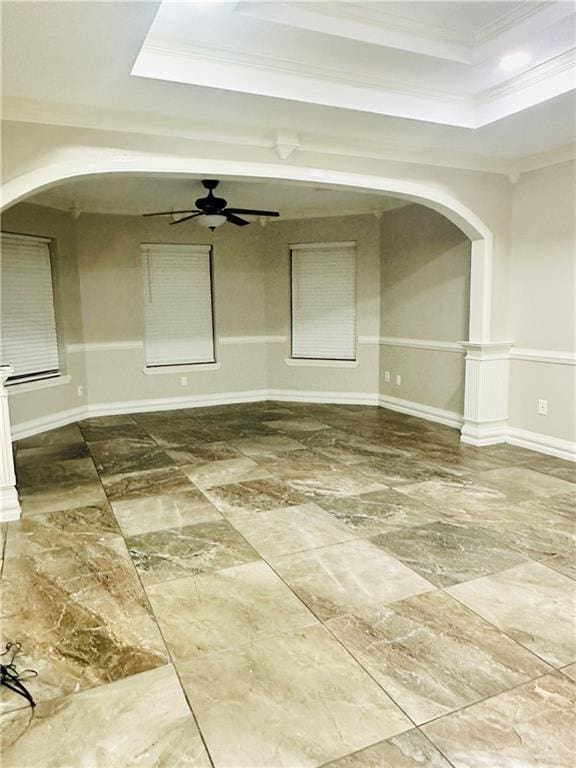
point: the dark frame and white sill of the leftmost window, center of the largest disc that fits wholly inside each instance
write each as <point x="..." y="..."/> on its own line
<point x="43" y="377"/>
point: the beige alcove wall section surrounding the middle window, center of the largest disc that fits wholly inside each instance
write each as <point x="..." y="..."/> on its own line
<point x="113" y="309"/>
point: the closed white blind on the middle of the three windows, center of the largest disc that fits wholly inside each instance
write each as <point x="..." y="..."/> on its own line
<point x="178" y="304"/>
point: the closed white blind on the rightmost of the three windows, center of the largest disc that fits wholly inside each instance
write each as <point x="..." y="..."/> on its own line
<point x="324" y="301"/>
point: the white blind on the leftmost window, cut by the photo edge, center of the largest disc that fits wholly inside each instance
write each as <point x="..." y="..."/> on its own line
<point x="28" y="339"/>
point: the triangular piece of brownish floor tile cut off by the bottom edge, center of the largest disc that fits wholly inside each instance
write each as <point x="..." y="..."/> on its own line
<point x="408" y="750"/>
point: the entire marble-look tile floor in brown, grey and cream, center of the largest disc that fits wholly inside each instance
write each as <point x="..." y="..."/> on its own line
<point x="289" y="586"/>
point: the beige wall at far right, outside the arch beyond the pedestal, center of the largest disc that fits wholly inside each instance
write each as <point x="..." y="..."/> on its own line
<point x="543" y="300"/>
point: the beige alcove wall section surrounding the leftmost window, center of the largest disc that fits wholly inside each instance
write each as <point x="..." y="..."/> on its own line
<point x="27" y="219"/>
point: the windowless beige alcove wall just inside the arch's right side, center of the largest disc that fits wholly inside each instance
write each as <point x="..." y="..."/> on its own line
<point x="425" y="294"/>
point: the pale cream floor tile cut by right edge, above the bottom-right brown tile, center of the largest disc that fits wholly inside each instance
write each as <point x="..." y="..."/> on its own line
<point x="531" y="603"/>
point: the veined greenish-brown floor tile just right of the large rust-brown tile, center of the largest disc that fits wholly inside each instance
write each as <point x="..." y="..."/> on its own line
<point x="177" y="552"/>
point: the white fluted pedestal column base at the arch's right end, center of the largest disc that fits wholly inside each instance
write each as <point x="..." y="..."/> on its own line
<point x="486" y="397"/>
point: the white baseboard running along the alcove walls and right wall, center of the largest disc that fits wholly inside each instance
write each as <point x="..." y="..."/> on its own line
<point x="534" y="441"/>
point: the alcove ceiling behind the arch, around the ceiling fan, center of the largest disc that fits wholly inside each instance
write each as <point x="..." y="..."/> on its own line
<point x="134" y="195"/>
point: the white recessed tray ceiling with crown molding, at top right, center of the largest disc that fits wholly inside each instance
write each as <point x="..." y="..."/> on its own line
<point x="438" y="62"/>
